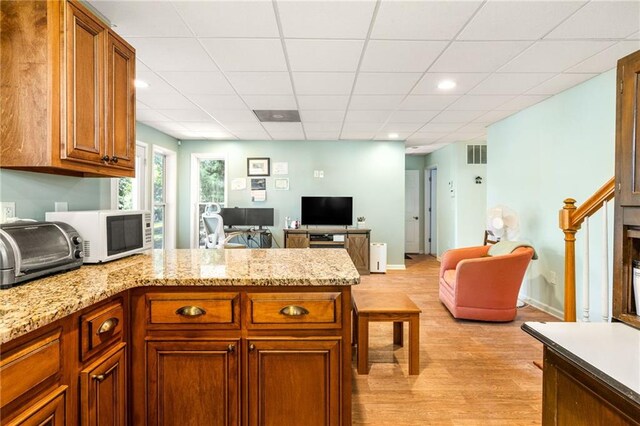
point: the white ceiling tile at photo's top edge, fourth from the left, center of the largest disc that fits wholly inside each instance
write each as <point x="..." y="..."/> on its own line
<point x="422" y="20"/>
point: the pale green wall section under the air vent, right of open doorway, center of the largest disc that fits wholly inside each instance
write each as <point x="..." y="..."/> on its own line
<point x="461" y="203"/>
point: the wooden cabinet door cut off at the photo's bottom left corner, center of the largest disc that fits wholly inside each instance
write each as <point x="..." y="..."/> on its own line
<point x="48" y="411"/>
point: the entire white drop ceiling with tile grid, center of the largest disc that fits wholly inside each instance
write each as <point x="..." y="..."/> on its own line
<point x="366" y="69"/>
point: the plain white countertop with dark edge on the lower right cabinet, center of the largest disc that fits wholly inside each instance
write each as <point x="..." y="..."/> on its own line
<point x="609" y="351"/>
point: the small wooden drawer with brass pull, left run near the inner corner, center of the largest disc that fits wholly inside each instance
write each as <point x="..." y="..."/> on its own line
<point x="101" y="327"/>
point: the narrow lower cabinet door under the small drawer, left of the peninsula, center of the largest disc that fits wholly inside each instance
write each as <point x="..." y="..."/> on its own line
<point x="103" y="394"/>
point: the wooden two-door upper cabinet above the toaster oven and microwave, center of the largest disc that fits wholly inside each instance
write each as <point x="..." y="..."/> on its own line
<point x="68" y="96"/>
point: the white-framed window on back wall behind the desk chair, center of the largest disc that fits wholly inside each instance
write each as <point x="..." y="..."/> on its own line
<point x="208" y="181"/>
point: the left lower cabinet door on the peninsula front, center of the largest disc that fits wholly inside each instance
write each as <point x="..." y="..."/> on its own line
<point x="193" y="382"/>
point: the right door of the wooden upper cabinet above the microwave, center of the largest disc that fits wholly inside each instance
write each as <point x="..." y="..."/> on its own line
<point x="120" y="137"/>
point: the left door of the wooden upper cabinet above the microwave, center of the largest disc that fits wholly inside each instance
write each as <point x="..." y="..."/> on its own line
<point x="85" y="87"/>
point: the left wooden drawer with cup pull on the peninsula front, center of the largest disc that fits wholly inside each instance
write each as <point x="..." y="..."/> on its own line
<point x="220" y="310"/>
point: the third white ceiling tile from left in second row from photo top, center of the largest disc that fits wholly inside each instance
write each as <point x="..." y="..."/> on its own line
<point x="324" y="55"/>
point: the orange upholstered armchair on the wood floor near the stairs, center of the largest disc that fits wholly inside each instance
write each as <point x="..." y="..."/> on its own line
<point x="476" y="286"/>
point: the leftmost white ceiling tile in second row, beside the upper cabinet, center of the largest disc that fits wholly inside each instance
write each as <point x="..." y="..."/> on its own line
<point x="172" y="54"/>
